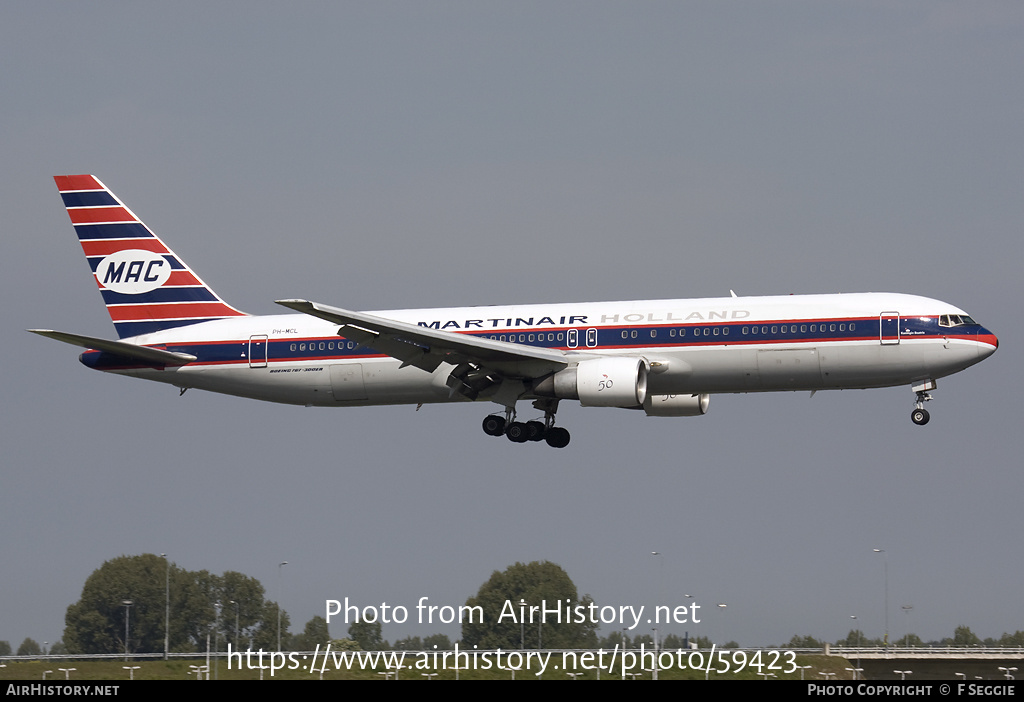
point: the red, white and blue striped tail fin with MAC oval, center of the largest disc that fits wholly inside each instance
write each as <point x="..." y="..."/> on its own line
<point x="145" y="286"/>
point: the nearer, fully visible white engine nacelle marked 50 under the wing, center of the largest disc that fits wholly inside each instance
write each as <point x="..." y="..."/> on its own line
<point x="603" y="382"/>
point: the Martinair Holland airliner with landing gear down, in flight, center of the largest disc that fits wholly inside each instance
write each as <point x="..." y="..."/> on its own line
<point x="664" y="358"/>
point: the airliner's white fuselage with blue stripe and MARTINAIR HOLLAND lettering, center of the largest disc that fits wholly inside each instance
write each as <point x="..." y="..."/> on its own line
<point x="697" y="346"/>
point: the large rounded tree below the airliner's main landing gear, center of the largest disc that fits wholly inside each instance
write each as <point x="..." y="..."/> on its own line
<point x="504" y="622"/>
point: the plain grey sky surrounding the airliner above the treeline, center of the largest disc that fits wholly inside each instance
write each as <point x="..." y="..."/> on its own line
<point x="376" y="156"/>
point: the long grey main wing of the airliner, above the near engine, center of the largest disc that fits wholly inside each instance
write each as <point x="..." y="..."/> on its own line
<point x="426" y="348"/>
